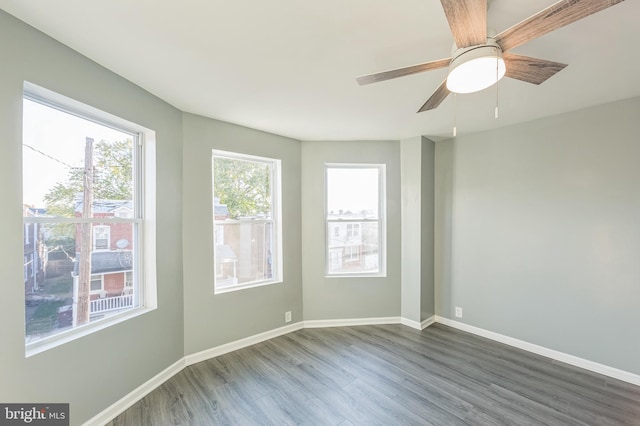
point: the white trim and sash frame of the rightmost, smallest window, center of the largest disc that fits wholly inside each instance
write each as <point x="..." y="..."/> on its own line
<point x="382" y="222"/>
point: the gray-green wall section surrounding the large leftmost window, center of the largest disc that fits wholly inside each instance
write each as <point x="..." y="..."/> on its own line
<point x="94" y="371"/>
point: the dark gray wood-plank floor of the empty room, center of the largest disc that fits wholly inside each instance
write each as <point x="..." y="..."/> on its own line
<point x="385" y="375"/>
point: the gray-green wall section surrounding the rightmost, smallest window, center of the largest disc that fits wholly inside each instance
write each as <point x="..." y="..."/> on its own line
<point x="344" y="298"/>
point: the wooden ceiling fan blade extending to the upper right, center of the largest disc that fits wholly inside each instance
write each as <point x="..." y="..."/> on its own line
<point x="550" y="19"/>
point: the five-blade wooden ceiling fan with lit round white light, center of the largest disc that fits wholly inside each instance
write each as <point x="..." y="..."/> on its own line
<point x="480" y="61"/>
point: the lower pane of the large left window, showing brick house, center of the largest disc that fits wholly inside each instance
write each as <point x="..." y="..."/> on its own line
<point x="53" y="274"/>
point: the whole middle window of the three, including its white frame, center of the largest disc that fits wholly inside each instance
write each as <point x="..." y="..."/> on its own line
<point x="247" y="224"/>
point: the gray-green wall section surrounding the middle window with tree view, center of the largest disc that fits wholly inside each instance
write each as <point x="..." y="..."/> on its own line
<point x="212" y="320"/>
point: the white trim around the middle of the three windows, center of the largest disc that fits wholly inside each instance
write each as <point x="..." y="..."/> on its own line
<point x="276" y="219"/>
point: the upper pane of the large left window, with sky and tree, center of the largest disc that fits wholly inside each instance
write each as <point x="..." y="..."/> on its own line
<point x="56" y="148"/>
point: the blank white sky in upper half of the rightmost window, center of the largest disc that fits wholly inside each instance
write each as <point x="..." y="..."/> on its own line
<point x="353" y="189"/>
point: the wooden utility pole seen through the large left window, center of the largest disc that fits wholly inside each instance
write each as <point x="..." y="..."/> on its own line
<point x="86" y="243"/>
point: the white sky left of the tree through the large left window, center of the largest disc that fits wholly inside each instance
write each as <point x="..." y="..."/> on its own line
<point x="59" y="135"/>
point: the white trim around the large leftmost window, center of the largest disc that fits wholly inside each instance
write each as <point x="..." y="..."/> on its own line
<point x="145" y="205"/>
